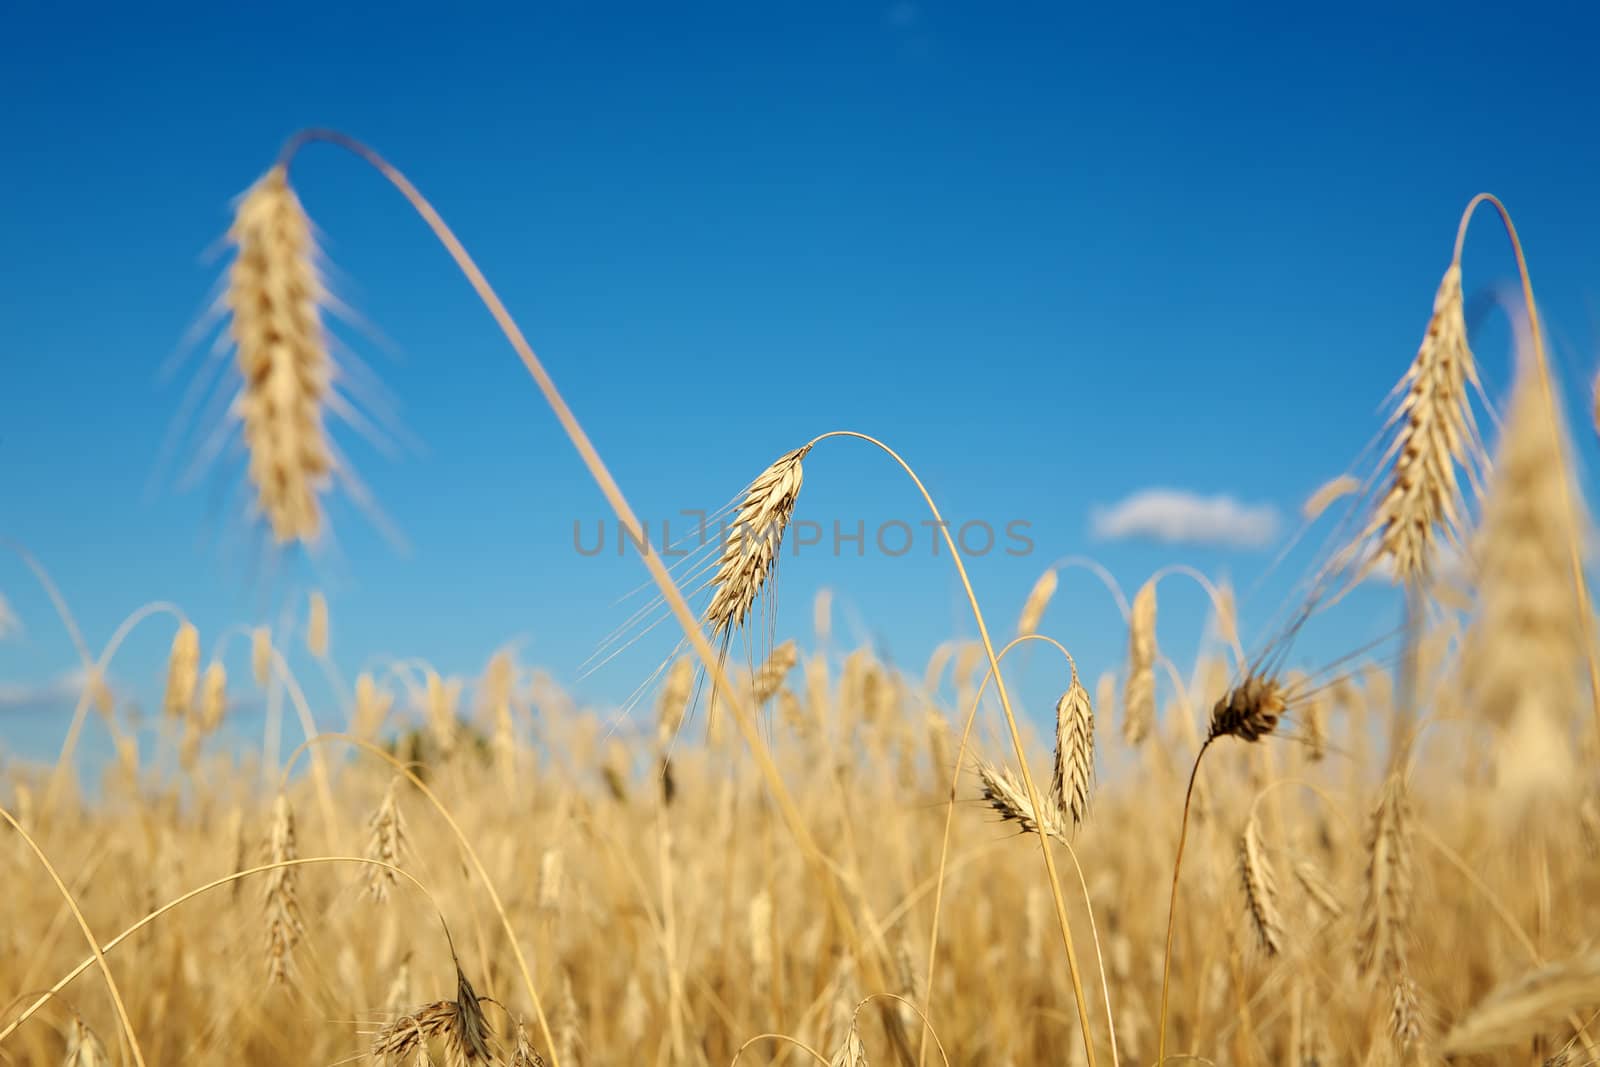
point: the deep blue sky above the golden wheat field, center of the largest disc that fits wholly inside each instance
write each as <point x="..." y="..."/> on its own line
<point x="1055" y="255"/>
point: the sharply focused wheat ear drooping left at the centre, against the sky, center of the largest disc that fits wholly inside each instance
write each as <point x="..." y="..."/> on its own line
<point x="750" y="554"/>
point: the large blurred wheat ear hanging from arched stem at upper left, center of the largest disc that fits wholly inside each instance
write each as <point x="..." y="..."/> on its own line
<point x="282" y="354"/>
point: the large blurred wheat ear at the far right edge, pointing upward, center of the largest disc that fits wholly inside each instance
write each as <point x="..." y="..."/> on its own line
<point x="1526" y="647"/>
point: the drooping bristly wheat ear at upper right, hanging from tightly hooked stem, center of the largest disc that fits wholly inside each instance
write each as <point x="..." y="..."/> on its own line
<point x="1436" y="434"/>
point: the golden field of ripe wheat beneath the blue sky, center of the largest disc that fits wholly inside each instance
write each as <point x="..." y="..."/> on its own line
<point x="1220" y="861"/>
